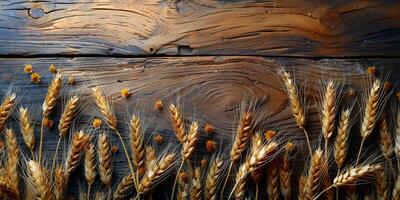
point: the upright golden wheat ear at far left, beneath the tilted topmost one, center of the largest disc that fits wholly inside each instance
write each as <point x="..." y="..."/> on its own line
<point x="11" y="166"/>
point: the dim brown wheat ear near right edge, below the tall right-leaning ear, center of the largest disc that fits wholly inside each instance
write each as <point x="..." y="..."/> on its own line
<point x="385" y="141"/>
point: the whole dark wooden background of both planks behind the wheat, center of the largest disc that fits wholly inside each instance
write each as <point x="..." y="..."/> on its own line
<point x="206" y="55"/>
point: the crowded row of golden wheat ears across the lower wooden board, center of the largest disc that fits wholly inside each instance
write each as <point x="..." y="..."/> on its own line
<point x="30" y="176"/>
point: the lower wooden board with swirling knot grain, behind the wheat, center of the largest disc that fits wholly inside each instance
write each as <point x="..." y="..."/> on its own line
<point x="209" y="88"/>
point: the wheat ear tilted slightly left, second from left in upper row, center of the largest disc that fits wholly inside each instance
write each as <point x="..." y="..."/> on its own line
<point x="27" y="129"/>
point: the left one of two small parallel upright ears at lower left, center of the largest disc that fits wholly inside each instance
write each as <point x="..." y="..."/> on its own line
<point x="90" y="164"/>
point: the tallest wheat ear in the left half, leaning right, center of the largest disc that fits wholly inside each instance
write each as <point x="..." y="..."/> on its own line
<point x="52" y="95"/>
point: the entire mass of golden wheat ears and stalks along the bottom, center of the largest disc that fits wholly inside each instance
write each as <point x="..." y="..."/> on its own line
<point x="258" y="161"/>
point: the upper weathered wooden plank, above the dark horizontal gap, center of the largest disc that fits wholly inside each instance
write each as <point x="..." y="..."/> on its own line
<point x="268" y="28"/>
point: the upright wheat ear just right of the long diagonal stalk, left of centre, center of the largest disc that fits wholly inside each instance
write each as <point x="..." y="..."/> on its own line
<point x="137" y="143"/>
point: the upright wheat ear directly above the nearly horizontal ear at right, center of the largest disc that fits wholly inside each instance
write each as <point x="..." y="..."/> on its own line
<point x="341" y="145"/>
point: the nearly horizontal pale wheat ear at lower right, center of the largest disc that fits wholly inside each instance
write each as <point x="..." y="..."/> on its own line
<point x="353" y="174"/>
